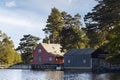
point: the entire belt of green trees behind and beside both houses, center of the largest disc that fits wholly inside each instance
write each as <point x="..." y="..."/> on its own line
<point x="101" y="30"/>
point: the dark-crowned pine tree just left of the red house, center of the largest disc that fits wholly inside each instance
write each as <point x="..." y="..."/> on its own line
<point x="26" y="47"/>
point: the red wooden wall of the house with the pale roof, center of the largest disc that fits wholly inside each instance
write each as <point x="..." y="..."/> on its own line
<point x="44" y="56"/>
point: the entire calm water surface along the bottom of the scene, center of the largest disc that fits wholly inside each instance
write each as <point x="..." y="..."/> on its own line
<point x="8" y="74"/>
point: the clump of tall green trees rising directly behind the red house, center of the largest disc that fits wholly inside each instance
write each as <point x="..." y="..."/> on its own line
<point x="65" y="29"/>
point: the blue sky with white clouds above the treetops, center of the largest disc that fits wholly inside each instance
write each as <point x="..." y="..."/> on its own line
<point x="22" y="17"/>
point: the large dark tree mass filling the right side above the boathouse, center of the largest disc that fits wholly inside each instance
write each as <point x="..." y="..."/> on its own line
<point x="104" y="20"/>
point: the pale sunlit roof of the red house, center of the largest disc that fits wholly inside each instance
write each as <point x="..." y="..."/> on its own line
<point x="53" y="48"/>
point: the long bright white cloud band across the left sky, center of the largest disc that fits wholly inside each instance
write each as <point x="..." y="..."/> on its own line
<point x="24" y="19"/>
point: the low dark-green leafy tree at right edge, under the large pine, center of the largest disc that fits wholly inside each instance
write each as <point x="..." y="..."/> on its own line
<point x="113" y="47"/>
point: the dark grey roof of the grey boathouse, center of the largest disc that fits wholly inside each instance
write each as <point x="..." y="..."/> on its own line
<point x="80" y="51"/>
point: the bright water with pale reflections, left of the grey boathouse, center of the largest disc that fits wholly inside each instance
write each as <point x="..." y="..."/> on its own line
<point x="8" y="74"/>
